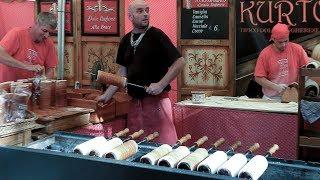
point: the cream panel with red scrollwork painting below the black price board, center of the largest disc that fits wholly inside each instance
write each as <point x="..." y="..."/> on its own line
<point x="207" y="66"/>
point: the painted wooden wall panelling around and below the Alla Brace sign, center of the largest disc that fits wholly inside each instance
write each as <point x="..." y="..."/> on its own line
<point x="85" y="53"/>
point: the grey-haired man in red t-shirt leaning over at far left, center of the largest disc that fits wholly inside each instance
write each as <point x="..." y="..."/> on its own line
<point x="29" y="50"/>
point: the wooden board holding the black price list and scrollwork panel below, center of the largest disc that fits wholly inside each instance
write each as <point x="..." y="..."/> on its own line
<point x="207" y="45"/>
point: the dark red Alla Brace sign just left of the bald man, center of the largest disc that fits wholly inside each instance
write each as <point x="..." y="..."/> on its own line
<point x="100" y="17"/>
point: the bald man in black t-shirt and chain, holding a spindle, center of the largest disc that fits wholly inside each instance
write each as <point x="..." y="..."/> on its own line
<point x="148" y="58"/>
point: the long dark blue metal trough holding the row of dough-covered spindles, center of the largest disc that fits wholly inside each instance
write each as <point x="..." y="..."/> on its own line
<point x="128" y="156"/>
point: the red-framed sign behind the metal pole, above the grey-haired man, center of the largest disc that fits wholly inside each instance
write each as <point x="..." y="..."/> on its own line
<point x="52" y="6"/>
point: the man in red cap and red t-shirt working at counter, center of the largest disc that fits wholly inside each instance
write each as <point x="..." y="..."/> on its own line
<point x="278" y="64"/>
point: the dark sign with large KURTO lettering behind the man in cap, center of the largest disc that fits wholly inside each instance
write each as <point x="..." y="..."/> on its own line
<point x="255" y="20"/>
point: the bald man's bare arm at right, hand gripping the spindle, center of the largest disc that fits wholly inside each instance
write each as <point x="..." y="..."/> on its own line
<point x="174" y="70"/>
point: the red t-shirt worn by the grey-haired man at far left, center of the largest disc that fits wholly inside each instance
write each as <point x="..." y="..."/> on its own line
<point x="19" y="44"/>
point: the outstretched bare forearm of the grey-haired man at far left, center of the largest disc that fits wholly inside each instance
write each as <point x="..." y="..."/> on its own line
<point x="8" y="60"/>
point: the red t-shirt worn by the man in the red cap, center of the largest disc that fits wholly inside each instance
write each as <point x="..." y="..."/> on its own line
<point x="280" y="67"/>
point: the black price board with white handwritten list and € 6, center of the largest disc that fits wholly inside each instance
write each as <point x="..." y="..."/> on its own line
<point x="205" y="19"/>
